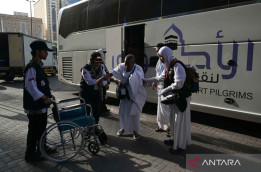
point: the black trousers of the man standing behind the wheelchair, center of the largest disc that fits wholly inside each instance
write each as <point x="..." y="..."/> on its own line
<point x="37" y="125"/>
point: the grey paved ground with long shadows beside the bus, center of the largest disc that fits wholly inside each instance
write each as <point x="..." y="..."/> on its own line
<point x="210" y="135"/>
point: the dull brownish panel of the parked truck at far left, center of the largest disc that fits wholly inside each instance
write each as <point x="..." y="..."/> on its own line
<point x="16" y="57"/>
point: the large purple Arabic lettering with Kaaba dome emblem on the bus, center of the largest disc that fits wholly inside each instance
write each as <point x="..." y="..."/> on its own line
<point x="172" y="40"/>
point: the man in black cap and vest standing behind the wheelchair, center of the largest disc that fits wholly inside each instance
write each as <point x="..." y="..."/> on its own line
<point x="37" y="98"/>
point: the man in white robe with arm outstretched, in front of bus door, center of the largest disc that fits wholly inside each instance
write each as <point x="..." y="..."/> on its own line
<point x="130" y="107"/>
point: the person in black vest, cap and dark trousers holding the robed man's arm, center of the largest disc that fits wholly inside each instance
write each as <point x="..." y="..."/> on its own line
<point x="90" y="92"/>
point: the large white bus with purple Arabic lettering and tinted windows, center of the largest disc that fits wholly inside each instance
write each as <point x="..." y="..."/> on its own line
<point x="221" y="39"/>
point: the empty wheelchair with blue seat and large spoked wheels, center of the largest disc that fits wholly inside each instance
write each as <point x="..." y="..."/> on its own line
<point x="72" y="131"/>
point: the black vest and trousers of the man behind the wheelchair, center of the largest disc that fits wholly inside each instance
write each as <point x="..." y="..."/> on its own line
<point x="37" y="119"/>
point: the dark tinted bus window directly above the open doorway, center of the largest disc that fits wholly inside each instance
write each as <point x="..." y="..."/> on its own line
<point x="134" y="10"/>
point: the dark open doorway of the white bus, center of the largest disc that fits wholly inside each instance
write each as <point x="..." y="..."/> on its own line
<point x="134" y="42"/>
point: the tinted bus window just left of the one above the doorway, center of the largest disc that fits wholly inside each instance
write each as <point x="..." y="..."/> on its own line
<point x="102" y="13"/>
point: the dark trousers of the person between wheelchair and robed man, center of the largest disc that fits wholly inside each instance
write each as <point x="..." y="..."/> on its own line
<point x="92" y="97"/>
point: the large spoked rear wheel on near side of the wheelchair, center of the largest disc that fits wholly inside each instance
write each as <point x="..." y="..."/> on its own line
<point x="61" y="141"/>
